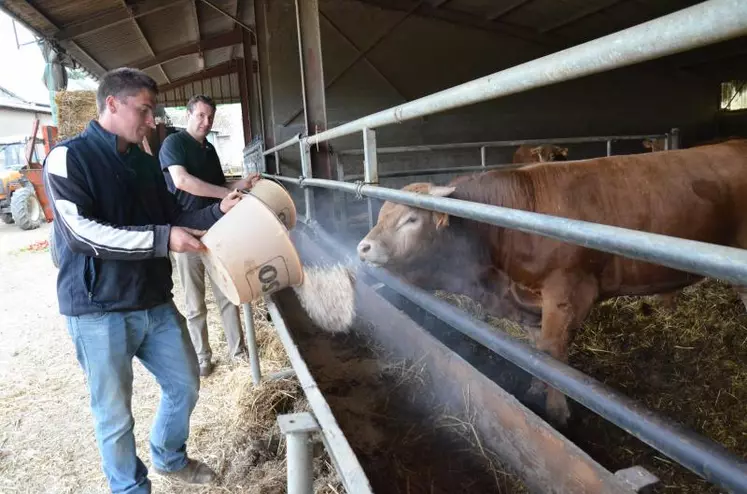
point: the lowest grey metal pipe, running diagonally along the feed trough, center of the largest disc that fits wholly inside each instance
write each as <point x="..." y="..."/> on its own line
<point x="699" y="454"/>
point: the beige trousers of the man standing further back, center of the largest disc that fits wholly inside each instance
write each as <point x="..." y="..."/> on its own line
<point x="192" y="275"/>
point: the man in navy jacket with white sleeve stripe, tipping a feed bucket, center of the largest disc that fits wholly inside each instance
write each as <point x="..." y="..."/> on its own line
<point x="115" y="223"/>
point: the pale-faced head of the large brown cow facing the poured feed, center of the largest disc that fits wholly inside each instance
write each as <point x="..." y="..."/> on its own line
<point x="402" y="233"/>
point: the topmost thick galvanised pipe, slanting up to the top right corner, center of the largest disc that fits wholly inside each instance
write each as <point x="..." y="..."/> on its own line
<point x="702" y="24"/>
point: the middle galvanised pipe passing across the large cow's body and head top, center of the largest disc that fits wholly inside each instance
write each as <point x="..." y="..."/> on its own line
<point x="715" y="261"/>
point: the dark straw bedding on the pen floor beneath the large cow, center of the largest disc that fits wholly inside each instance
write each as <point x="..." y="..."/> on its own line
<point x="689" y="364"/>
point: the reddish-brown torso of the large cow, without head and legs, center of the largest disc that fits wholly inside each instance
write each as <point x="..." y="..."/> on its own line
<point x="697" y="193"/>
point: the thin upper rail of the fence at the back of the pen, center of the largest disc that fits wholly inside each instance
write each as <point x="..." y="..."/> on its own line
<point x="492" y="144"/>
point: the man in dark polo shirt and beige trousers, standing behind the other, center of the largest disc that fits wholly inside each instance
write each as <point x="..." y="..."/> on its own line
<point x="194" y="175"/>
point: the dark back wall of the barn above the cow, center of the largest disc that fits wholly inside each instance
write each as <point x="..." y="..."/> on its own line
<point x="422" y="56"/>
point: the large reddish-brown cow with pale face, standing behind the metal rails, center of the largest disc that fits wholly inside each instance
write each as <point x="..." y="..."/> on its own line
<point x="697" y="193"/>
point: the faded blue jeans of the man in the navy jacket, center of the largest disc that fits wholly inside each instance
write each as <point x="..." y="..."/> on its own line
<point x="105" y="344"/>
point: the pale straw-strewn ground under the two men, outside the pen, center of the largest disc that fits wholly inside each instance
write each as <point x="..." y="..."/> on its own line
<point x="46" y="433"/>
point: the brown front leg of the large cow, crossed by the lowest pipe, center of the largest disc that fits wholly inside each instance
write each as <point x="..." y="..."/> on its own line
<point x="566" y="301"/>
